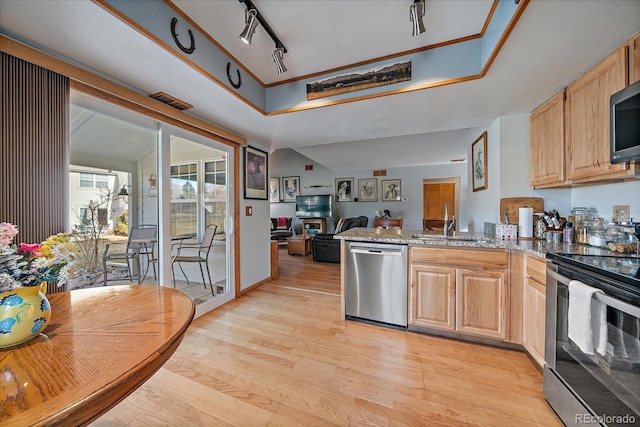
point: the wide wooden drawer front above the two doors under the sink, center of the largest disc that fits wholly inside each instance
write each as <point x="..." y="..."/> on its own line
<point x="463" y="257"/>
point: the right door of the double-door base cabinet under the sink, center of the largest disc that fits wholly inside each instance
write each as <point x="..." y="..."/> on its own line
<point x="482" y="303"/>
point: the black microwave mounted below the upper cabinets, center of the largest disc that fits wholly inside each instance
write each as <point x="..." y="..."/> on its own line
<point x="625" y="124"/>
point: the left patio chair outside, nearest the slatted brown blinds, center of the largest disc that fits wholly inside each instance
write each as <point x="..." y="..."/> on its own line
<point x="141" y="243"/>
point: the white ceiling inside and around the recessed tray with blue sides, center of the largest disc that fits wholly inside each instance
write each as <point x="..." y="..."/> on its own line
<point x="553" y="43"/>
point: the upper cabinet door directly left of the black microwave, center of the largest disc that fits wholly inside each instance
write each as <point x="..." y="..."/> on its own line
<point x="588" y="117"/>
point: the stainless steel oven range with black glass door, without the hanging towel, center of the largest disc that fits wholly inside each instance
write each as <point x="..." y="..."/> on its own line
<point x="596" y="389"/>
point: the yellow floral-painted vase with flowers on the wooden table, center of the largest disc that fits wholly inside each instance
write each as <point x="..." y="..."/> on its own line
<point x="25" y="270"/>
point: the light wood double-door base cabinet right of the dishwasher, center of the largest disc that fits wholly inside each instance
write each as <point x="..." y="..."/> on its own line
<point x="460" y="290"/>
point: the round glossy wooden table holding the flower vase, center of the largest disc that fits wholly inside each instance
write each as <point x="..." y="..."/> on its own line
<point x="100" y="345"/>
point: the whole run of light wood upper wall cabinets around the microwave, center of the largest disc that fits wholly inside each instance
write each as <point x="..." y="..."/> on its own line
<point x="570" y="133"/>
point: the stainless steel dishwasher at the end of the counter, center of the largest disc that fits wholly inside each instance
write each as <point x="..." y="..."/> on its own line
<point x="376" y="282"/>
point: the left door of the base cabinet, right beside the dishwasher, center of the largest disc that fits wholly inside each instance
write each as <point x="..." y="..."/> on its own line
<point x="432" y="297"/>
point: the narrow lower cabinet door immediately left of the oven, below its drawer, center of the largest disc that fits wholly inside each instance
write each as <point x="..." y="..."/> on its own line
<point x="533" y="318"/>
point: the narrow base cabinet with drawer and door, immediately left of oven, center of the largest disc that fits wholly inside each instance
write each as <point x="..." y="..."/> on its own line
<point x="533" y="308"/>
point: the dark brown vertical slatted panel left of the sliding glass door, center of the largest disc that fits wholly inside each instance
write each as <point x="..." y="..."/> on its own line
<point x="33" y="148"/>
